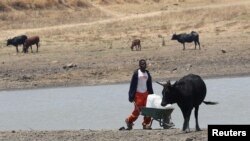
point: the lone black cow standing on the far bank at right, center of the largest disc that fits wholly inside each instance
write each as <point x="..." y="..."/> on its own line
<point x="184" y="37"/>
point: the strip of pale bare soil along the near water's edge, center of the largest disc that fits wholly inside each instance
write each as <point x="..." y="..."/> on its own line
<point x="104" y="135"/>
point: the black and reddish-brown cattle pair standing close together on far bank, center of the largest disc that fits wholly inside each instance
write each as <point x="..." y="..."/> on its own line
<point x="25" y="41"/>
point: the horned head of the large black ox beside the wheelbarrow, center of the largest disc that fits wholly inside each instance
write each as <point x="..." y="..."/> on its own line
<point x="167" y="93"/>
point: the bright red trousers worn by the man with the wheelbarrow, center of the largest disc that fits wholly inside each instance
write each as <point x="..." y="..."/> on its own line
<point x="140" y="101"/>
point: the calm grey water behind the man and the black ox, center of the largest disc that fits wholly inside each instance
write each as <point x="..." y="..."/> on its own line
<point x="107" y="106"/>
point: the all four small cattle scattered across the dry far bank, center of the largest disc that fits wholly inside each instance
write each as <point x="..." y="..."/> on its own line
<point x="136" y="43"/>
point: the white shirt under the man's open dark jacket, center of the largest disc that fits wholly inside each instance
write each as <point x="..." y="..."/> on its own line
<point x="142" y="81"/>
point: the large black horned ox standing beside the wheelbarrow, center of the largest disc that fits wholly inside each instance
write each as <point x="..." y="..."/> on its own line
<point x="189" y="92"/>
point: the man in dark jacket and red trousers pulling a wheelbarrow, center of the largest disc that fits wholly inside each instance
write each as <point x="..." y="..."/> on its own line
<point x="140" y="88"/>
